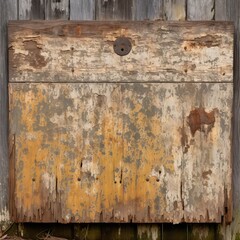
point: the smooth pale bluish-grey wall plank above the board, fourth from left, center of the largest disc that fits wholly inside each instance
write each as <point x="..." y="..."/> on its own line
<point x="82" y="10"/>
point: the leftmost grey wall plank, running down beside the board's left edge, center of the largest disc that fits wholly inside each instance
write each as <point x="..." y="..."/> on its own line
<point x="8" y="10"/>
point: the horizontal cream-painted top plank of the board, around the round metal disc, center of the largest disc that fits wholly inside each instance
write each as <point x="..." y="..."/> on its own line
<point x="83" y="52"/>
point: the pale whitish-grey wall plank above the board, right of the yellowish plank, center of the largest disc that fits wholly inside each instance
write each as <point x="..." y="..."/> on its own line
<point x="200" y="9"/>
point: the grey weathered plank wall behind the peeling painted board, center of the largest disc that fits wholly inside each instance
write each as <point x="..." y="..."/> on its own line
<point x="130" y="10"/>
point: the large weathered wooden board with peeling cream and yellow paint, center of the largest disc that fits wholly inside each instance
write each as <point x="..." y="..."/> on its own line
<point x="120" y="121"/>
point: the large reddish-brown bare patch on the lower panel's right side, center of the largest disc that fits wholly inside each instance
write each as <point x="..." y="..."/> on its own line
<point x="198" y="119"/>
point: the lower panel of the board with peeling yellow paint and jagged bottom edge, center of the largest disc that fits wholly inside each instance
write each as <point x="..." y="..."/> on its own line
<point x="104" y="153"/>
